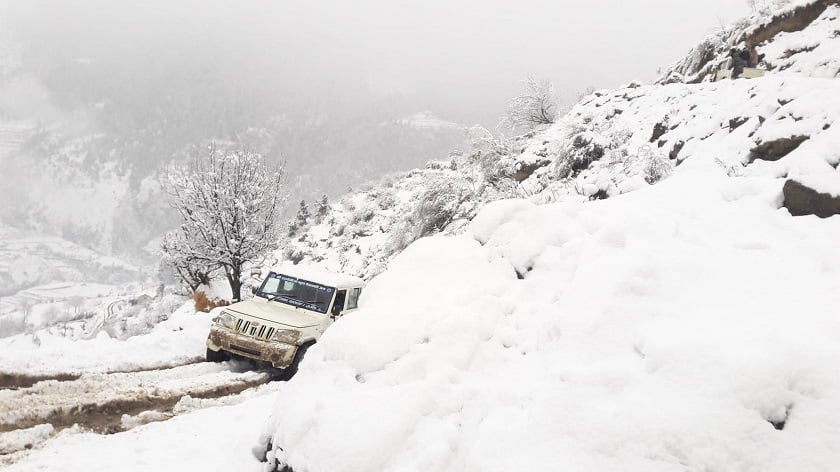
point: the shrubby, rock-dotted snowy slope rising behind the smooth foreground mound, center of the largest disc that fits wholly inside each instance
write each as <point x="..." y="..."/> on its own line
<point x="614" y="141"/>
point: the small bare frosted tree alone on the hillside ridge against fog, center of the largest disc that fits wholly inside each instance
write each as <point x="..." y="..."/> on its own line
<point x="536" y="107"/>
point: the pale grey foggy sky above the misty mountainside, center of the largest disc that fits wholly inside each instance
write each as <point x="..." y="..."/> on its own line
<point x="460" y="59"/>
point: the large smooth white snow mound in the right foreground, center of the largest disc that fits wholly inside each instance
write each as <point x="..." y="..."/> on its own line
<point x="662" y="330"/>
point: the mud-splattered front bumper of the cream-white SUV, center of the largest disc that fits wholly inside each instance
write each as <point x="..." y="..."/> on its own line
<point x="280" y="355"/>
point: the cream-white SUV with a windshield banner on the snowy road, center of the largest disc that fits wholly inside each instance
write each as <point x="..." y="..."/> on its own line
<point x="292" y="308"/>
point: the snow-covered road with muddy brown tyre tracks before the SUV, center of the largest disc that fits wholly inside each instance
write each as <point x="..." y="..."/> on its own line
<point x="85" y="405"/>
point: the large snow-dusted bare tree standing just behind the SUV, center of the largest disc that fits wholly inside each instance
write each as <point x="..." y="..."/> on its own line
<point x="229" y="203"/>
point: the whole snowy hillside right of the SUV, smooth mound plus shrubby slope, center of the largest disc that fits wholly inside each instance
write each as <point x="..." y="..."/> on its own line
<point x="686" y="325"/>
